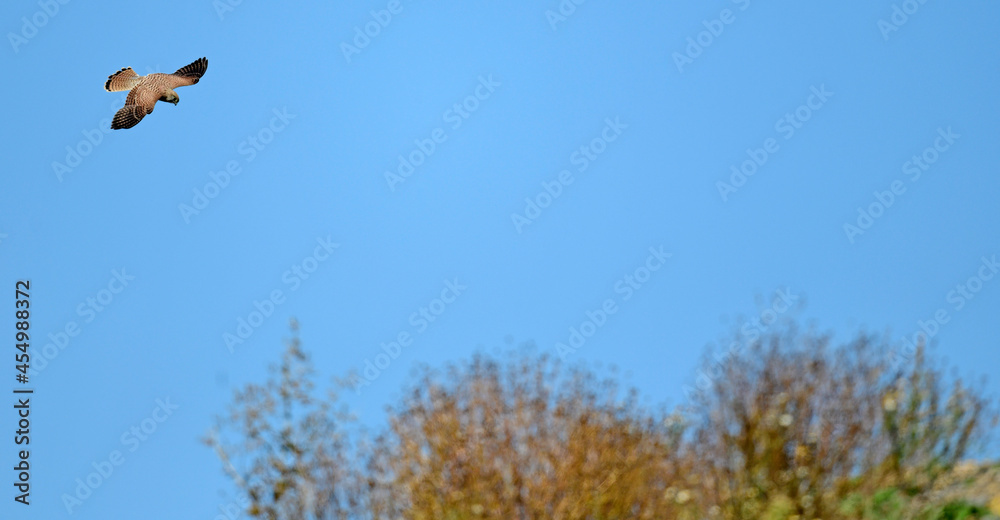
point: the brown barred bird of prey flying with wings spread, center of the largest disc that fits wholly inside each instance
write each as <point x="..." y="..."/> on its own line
<point x="145" y="91"/>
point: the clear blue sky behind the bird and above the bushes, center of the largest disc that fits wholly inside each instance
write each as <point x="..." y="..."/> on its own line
<point x="561" y="163"/>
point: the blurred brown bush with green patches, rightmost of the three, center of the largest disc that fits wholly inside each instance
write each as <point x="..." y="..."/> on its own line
<point x="786" y="422"/>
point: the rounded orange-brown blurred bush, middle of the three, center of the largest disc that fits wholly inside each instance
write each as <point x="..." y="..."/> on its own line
<point x="520" y="441"/>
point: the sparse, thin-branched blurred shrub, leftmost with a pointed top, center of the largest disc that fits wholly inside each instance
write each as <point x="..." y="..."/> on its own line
<point x="291" y="455"/>
